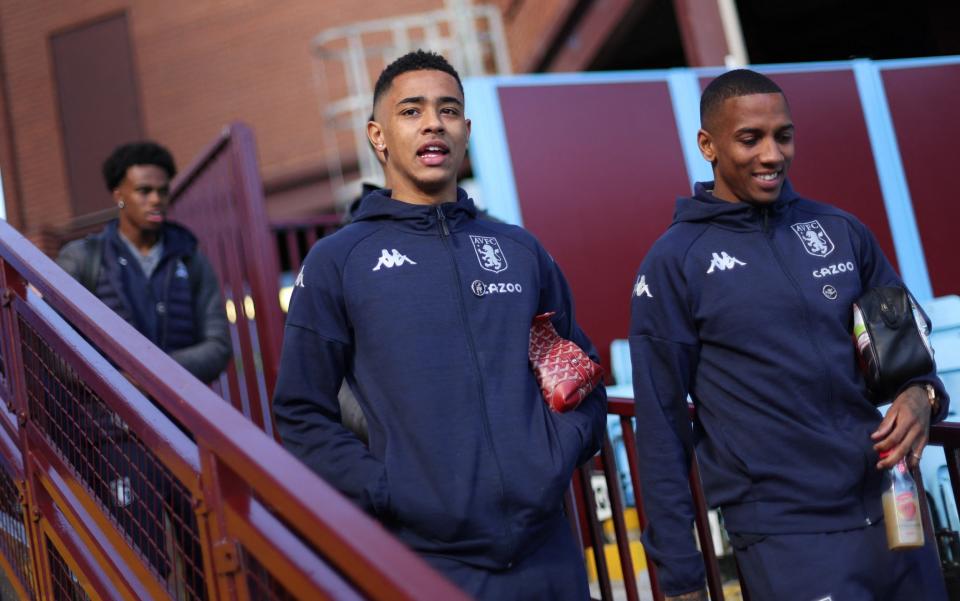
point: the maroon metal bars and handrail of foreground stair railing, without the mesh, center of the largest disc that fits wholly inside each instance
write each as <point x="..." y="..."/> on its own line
<point x="252" y="499"/>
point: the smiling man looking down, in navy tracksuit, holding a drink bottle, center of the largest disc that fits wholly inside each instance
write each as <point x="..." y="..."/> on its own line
<point x="745" y="305"/>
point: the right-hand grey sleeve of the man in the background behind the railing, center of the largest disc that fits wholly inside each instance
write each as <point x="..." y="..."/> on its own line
<point x="209" y="356"/>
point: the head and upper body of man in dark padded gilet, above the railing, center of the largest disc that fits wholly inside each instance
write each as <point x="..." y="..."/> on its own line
<point x="173" y="298"/>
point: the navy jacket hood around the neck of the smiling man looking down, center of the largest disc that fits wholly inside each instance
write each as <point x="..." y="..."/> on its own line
<point x="703" y="206"/>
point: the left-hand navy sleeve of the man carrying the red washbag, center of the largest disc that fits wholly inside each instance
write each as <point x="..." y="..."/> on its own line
<point x="316" y="346"/>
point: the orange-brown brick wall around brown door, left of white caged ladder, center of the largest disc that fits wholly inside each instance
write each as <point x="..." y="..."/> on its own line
<point x="199" y="66"/>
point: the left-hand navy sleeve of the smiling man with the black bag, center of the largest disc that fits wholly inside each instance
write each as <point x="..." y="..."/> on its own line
<point x="664" y="350"/>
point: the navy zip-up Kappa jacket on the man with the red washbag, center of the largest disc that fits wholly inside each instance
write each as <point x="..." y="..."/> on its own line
<point x="427" y="312"/>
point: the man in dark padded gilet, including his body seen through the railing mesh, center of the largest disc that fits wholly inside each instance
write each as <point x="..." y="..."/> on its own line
<point x="151" y="273"/>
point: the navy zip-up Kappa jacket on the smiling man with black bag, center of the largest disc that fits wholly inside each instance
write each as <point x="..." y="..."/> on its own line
<point x="748" y="310"/>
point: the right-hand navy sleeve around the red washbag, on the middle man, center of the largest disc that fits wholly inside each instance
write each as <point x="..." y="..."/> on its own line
<point x="590" y="417"/>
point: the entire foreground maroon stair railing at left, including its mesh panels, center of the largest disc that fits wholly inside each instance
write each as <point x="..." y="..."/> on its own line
<point x="122" y="476"/>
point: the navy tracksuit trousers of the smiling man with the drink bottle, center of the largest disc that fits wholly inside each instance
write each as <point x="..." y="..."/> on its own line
<point x="852" y="565"/>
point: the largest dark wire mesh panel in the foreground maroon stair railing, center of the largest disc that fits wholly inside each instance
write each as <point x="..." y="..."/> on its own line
<point x="150" y="507"/>
